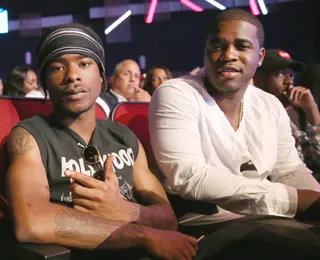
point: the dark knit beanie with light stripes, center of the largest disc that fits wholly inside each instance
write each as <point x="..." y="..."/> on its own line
<point x="69" y="39"/>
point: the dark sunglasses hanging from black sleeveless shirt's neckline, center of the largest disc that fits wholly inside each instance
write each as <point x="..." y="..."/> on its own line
<point x="91" y="156"/>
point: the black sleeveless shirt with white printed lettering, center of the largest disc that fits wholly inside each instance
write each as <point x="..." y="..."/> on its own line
<point x="61" y="148"/>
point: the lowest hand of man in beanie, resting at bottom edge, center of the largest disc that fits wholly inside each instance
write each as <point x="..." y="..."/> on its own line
<point x="171" y="245"/>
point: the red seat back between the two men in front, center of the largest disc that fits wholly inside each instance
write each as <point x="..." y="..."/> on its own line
<point x="134" y="115"/>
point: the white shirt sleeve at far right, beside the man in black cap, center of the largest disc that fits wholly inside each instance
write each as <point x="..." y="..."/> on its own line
<point x="289" y="168"/>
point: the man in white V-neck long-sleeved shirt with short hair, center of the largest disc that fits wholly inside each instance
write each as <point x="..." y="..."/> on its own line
<point x="219" y="139"/>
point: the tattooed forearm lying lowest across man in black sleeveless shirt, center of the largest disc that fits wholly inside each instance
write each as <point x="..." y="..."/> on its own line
<point x="94" y="232"/>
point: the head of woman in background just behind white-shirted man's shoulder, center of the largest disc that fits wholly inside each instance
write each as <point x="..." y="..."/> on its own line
<point x="155" y="77"/>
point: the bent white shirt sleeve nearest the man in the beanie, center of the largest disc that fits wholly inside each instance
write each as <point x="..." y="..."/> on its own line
<point x="175" y="139"/>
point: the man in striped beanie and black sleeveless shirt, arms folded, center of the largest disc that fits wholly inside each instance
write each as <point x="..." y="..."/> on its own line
<point x="53" y="197"/>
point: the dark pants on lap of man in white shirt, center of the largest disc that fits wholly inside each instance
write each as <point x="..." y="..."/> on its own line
<point x="258" y="238"/>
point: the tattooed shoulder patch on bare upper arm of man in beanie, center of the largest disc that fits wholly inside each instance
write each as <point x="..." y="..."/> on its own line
<point x="19" y="142"/>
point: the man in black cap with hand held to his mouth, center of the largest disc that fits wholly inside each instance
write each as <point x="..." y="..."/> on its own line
<point x="277" y="76"/>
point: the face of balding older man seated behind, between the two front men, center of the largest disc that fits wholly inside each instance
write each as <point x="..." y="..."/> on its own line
<point x="126" y="79"/>
